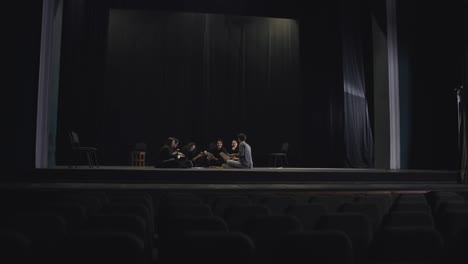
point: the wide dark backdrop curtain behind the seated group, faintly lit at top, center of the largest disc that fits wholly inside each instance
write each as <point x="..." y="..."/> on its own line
<point x="200" y="77"/>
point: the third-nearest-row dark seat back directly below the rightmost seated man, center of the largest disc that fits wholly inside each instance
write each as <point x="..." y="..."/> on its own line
<point x="237" y="216"/>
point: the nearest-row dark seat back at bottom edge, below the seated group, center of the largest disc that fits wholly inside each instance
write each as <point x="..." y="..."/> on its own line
<point x="211" y="248"/>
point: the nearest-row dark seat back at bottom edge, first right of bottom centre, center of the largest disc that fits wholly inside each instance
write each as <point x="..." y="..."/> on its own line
<point x="327" y="246"/>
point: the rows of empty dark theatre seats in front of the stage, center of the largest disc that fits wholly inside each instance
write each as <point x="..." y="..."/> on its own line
<point x="115" y="226"/>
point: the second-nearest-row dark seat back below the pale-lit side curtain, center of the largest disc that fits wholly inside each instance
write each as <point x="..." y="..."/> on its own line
<point x="355" y="225"/>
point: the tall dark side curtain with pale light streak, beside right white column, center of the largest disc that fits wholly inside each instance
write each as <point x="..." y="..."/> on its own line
<point x="357" y="127"/>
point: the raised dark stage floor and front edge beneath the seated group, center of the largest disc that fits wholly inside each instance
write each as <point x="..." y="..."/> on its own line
<point x="147" y="175"/>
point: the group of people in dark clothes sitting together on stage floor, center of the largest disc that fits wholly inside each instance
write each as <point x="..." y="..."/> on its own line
<point x="239" y="155"/>
